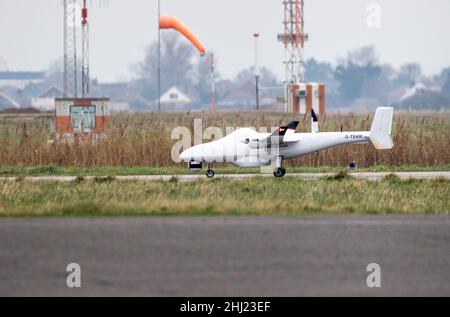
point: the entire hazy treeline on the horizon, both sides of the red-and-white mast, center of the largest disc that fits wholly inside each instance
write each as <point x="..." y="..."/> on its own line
<point x="357" y="82"/>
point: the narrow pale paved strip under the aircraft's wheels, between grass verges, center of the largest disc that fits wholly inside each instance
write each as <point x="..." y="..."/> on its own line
<point x="192" y="178"/>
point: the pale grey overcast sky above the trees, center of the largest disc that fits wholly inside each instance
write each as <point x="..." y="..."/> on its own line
<point x="411" y="31"/>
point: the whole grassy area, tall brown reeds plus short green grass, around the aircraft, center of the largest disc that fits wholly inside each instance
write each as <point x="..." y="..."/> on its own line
<point x="140" y="144"/>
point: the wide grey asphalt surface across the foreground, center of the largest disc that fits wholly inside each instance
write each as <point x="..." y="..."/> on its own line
<point x="305" y="256"/>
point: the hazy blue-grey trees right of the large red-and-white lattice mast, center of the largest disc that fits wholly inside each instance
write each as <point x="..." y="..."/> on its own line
<point x="359" y="81"/>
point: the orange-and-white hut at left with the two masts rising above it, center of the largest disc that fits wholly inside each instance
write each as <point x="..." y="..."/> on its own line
<point x="86" y="119"/>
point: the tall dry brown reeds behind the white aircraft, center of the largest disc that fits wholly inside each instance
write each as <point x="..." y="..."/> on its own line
<point x="143" y="140"/>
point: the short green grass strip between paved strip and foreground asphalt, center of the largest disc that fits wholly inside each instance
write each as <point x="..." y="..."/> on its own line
<point x="257" y="196"/>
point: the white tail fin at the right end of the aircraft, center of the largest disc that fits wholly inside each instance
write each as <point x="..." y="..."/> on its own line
<point x="381" y="132"/>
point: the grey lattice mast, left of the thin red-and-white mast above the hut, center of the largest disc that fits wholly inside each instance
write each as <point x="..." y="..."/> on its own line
<point x="70" y="52"/>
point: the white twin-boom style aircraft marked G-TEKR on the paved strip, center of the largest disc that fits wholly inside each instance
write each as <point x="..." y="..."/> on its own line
<point x="248" y="148"/>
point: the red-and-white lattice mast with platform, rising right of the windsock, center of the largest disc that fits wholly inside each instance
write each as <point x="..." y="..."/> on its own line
<point x="294" y="38"/>
